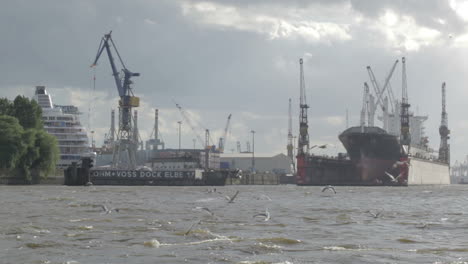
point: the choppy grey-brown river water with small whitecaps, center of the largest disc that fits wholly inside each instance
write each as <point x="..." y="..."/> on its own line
<point x="59" y="224"/>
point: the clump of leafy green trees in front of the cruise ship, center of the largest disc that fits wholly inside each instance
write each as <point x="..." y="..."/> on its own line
<point x="27" y="151"/>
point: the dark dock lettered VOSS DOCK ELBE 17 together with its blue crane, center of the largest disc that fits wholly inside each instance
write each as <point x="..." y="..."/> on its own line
<point x="123" y="160"/>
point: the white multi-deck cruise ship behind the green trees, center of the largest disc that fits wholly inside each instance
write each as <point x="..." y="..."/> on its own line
<point x="62" y="121"/>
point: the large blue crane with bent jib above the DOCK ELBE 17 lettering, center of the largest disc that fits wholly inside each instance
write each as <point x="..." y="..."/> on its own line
<point x="125" y="142"/>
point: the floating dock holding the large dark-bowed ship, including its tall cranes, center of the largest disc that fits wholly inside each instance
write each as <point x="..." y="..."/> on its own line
<point x="396" y="154"/>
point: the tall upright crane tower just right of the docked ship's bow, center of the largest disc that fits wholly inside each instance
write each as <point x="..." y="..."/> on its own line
<point x="405" y="137"/>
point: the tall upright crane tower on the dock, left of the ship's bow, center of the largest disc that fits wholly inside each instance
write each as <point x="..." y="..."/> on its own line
<point x="303" y="143"/>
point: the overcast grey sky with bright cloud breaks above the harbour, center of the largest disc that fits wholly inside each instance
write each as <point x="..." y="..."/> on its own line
<point x="241" y="57"/>
